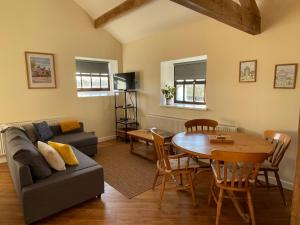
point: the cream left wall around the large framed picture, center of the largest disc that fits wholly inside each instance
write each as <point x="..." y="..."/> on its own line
<point x="60" y="27"/>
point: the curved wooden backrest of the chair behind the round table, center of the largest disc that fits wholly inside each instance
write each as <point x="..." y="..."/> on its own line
<point x="200" y="125"/>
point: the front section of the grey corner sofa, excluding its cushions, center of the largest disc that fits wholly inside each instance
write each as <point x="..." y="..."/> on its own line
<point x="41" y="198"/>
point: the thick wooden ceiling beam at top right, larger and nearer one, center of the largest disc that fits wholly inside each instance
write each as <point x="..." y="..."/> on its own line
<point x="245" y="17"/>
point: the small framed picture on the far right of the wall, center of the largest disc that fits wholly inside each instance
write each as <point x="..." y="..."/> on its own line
<point x="285" y="75"/>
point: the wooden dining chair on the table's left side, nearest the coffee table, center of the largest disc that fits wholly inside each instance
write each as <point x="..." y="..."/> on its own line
<point x="173" y="167"/>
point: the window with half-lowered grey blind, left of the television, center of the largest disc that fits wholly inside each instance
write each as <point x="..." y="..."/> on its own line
<point x="92" y="75"/>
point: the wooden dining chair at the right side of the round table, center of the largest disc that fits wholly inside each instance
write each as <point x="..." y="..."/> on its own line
<point x="280" y="142"/>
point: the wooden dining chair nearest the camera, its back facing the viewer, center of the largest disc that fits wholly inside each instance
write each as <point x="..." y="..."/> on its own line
<point x="234" y="172"/>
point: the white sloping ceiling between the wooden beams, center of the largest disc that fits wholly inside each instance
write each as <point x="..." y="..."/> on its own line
<point x="143" y="21"/>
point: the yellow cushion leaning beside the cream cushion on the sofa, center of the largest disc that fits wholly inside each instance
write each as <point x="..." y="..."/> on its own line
<point x="66" y="152"/>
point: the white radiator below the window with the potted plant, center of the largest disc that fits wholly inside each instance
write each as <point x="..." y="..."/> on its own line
<point x="176" y="125"/>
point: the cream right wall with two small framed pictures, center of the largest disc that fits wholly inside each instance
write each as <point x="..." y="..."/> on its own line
<point x="252" y="106"/>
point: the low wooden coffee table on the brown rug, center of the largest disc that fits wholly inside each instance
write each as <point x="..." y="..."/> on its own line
<point x="146" y="136"/>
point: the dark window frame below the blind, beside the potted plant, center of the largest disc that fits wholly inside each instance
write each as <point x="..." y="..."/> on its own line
<point x="194" y="82"/>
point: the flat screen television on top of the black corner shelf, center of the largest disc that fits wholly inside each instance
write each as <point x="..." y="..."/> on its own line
<point x="124" y="81"/>
